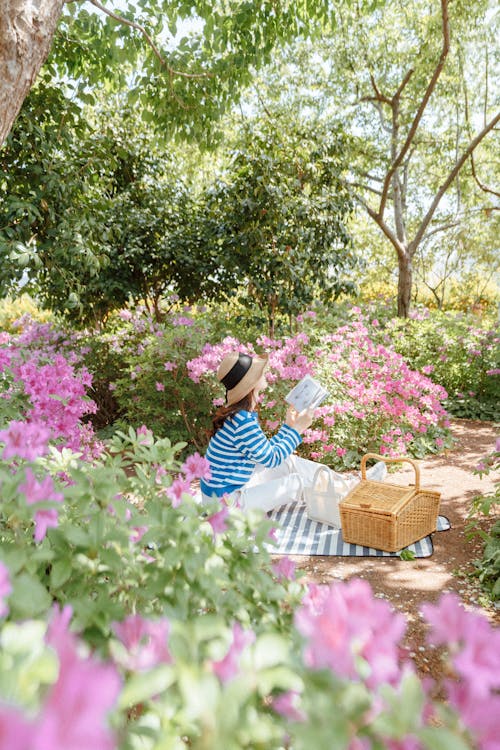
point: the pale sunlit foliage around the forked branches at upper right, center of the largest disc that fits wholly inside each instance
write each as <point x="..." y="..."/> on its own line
<point x="372" y="74"/>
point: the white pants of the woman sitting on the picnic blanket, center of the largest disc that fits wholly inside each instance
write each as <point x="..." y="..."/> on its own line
<point x="269" y="488"/>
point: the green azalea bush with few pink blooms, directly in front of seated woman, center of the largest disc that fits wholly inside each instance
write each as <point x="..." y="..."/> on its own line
<point x="122" y="534"/>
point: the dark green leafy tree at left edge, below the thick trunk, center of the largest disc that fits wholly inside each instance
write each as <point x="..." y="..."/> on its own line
<point x="95" y="213"/>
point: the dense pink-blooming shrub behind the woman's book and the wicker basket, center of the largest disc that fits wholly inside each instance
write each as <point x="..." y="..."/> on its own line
<point x="379" y="404"/>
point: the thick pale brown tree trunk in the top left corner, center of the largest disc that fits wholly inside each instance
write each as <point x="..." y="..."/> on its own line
<point x="26" y="32"/>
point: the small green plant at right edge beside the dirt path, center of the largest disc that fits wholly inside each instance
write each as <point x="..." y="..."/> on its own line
<point x="488" y="568"/>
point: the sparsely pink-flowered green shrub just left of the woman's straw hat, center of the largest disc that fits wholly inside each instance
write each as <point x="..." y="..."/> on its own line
<point x="141" y="365"/>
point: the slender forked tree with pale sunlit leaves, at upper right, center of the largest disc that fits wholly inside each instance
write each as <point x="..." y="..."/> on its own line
<point x="404" y="79"/>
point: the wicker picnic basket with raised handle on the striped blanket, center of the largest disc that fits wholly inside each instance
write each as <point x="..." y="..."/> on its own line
<point x="387" y="516"/>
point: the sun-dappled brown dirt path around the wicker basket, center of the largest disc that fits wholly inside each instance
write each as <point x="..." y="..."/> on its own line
<point x="407" y="584"/>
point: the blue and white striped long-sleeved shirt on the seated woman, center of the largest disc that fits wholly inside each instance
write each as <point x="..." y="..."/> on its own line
<point x="240" y="444"/>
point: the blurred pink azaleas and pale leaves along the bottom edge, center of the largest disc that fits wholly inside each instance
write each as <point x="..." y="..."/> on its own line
<point x="209" y="684"/>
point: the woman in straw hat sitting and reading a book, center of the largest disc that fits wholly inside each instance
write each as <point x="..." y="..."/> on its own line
<point x="253" y="471"/>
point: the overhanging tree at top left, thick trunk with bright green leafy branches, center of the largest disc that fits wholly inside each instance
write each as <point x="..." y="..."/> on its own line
<point x="181" y="84"/>
